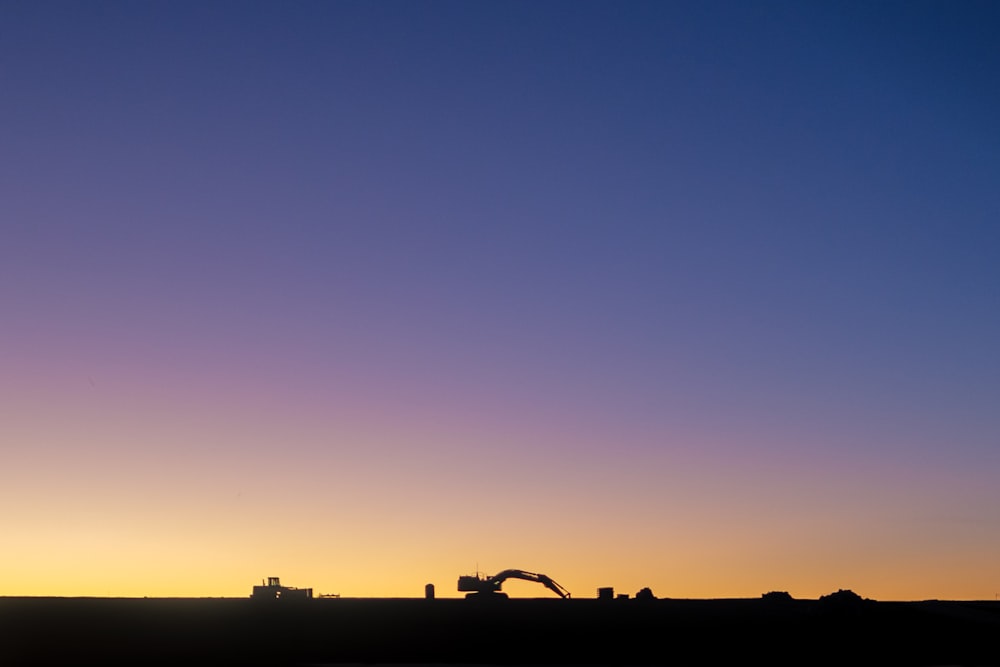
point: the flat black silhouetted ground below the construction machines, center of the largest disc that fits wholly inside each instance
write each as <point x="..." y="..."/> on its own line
<point x="85" y="631"/>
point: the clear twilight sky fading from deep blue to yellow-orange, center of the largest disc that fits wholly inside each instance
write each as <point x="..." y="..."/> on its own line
<point x="699" y="296"/>
